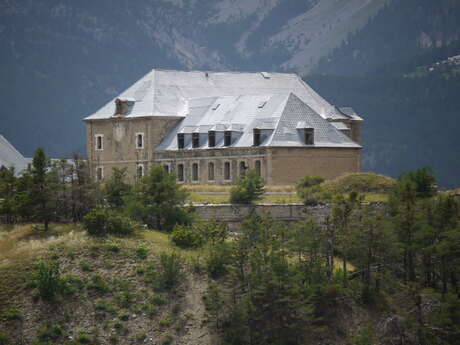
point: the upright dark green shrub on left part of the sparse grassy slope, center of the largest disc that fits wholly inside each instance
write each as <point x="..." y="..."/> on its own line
<point x="48" y="278"/>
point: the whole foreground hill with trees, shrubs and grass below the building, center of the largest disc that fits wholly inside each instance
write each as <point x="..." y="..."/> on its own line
<point x="364" y="273"/>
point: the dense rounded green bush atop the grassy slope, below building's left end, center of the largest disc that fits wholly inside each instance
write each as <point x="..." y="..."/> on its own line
<point x="100" y="222"/>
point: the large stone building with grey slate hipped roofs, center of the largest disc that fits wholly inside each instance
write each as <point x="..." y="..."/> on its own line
<point x="210" y="127"/>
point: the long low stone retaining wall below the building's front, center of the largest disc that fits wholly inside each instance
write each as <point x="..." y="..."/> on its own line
<point x="234" y="214"/>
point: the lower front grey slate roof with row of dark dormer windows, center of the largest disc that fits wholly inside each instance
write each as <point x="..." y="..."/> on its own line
<point x="281" y="120"/>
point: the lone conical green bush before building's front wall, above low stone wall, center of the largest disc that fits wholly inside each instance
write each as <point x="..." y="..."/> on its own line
<point x="249" y="189"/>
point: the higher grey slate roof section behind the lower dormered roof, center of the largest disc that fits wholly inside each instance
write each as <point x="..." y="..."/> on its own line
<point x="169" y="92"/>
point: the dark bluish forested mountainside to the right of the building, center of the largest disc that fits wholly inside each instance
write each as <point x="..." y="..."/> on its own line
<point x="388" y="72"/>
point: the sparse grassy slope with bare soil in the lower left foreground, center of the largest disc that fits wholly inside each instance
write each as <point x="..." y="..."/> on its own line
<point x="110" y="292"/>
